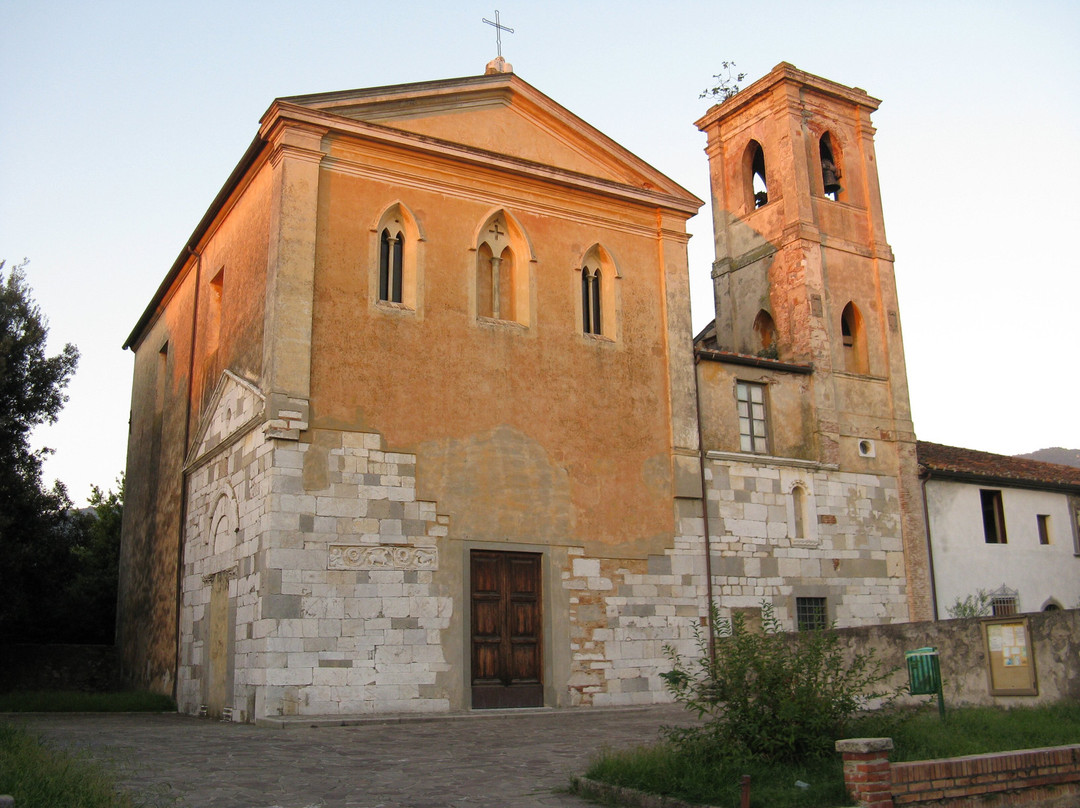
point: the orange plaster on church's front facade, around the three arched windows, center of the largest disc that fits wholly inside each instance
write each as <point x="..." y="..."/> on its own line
<point x="537" y="435"/>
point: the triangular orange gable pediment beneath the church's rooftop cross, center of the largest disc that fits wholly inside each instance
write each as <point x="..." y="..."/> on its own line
<point x="499" y="114"/>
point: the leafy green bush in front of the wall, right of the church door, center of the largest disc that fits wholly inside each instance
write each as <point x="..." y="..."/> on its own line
<point x="767" y="695"/>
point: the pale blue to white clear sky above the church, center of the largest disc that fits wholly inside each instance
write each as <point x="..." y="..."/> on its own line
<point x="119" y="122"/>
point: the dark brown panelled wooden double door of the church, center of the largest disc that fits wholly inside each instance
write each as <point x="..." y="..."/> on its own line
<point x="506" y="629"/>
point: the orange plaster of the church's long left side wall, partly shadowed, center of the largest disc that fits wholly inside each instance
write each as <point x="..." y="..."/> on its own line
<point x="157" y="450"/>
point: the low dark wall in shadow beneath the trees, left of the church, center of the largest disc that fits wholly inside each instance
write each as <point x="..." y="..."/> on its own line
<point x="86" y="668"/>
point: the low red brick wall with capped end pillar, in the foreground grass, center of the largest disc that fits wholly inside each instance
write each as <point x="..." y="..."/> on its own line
<point x="1047" y="778"/>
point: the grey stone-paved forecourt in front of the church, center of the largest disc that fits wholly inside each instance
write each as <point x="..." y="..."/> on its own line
<point x="510" y="760"/>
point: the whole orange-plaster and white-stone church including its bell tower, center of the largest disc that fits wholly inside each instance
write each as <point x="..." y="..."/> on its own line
<point x="420" y="422"/>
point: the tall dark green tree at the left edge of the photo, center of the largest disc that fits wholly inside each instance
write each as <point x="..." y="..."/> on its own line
<point x="36" y="523"/>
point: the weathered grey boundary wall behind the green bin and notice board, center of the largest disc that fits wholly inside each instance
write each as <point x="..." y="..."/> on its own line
<point x="1056" y="642"/>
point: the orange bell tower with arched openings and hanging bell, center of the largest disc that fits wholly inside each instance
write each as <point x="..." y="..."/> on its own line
<point x="804" y="276"/>
